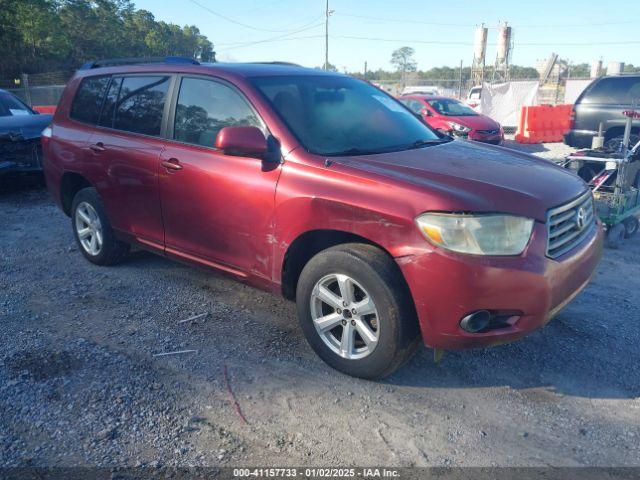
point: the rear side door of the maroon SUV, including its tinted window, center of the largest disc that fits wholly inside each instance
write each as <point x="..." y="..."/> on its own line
<point x="127" y="144"/>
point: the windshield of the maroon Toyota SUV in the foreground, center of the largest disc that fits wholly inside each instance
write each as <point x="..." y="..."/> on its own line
<point x="339" y="115"/>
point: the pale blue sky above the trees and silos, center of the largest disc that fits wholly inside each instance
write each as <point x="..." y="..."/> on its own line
<point x="441" y="32"/>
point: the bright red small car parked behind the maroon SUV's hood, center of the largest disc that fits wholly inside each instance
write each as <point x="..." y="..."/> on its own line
<point x="453" y="117"/>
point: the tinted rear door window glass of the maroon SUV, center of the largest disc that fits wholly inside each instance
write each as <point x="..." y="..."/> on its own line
<point x="141" y="104"/>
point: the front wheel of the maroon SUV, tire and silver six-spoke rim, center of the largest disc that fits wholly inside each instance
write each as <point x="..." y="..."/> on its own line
<point x="368" y="274"/>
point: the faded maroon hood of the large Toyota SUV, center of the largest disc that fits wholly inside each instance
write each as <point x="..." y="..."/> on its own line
<point x="468" y="176"/>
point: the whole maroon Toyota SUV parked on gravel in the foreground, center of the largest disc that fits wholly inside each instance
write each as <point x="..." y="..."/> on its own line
<point x="325" y="189"/>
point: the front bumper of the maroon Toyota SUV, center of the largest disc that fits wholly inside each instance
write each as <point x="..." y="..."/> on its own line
<point x="528" y="289"/>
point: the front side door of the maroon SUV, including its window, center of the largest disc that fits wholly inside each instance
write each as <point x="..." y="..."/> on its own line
<point x="216" y="208"/>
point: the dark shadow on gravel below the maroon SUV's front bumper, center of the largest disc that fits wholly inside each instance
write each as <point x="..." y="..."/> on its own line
<point x="569" y="356"/>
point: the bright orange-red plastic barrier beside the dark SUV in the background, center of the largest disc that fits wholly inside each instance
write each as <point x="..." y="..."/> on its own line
<point x="543" y="123"/>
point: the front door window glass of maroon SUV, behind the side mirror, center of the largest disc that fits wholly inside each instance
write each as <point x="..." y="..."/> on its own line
<point x="205" y="107"/>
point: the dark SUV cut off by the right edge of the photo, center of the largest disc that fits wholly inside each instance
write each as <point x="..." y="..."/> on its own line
<point x="603" y="101"/>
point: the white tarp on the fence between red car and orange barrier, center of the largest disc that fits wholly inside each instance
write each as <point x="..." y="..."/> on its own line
<point x="504" y="101"/>
